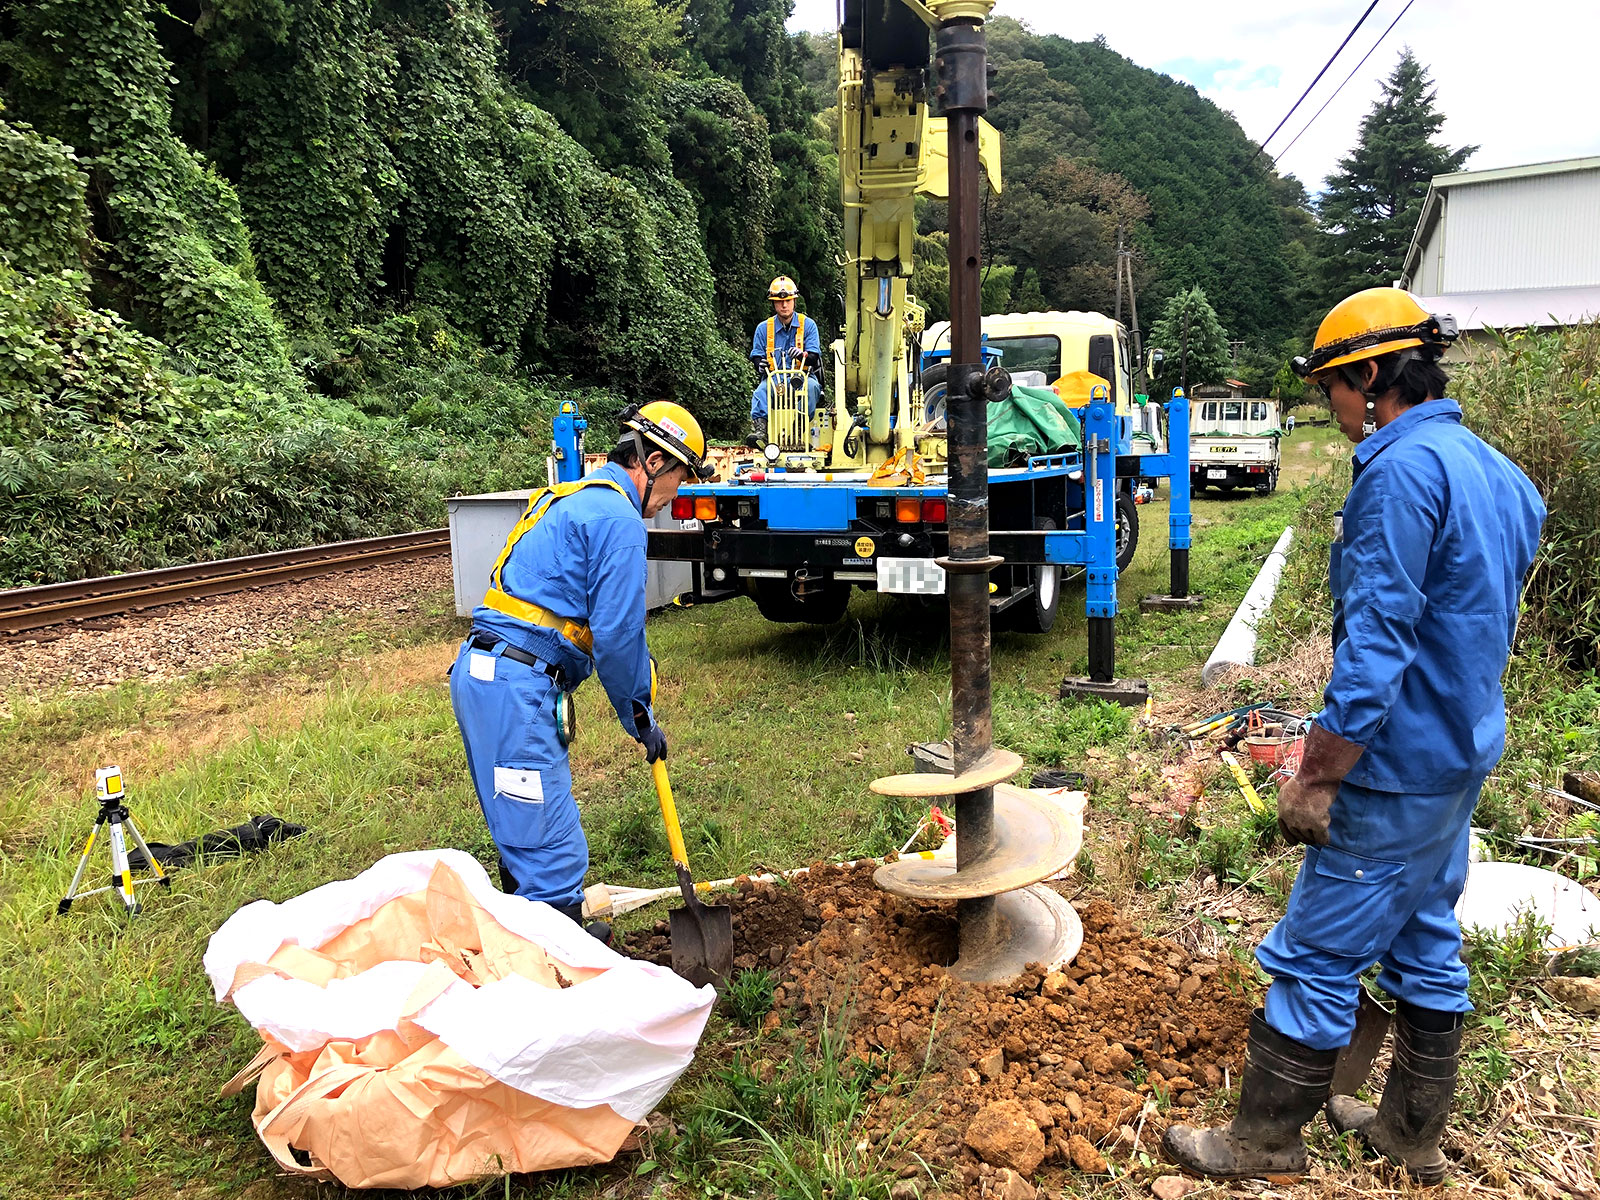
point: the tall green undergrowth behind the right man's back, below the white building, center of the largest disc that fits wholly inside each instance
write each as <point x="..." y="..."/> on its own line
<point x="1537" y="398"/>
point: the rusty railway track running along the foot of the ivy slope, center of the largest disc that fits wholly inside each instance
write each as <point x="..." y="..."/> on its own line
<point x="26" y="609"/>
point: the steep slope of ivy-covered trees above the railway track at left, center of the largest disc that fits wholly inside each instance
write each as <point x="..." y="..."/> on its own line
<point x="297" y="270"/>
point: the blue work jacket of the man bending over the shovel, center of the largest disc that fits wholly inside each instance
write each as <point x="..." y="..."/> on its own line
<point x="586" y="561"/>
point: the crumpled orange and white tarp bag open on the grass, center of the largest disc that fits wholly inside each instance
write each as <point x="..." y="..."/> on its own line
<point x="423" y="1028"/>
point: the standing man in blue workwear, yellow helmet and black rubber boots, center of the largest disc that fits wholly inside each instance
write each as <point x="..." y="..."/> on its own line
<point x="1426" y="570"/>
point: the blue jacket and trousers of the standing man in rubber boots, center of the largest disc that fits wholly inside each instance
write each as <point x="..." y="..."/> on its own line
<point x="1426" y="572"/>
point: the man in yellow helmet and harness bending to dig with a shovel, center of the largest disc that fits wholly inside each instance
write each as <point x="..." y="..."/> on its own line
<point x="566" y="601"/>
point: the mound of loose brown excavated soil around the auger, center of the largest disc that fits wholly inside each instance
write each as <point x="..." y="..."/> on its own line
<point x="1044" y="1071"/>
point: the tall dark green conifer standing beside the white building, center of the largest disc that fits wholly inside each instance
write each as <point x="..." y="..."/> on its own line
<point x="1375" y="199"/>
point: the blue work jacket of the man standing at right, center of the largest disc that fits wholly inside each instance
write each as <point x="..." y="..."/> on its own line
<point x="1426" y="572"/>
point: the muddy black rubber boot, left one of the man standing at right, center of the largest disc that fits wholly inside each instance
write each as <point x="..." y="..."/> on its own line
<point x="1286" y="1084"/>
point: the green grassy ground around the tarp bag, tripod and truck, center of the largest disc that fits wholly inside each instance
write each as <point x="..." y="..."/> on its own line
<point x="113" y="1050"/>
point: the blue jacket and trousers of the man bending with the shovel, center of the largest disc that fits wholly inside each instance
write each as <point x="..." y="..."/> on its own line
<point x="583" y="561"/>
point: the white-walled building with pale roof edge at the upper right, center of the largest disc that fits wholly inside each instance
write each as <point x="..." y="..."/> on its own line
<point x="1511" y="249"/>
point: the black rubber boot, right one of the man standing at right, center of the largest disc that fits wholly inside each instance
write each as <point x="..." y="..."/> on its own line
<point x="1410" y="1119"/>
